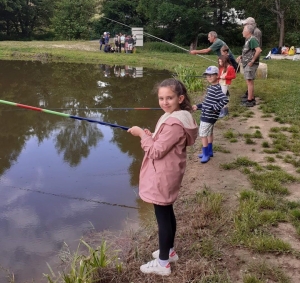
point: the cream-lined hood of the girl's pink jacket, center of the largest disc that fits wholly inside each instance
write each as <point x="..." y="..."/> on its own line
<point x="183" y="118"/>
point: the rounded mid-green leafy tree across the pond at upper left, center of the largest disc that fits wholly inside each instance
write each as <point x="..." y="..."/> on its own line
<point x="72" y="18"/>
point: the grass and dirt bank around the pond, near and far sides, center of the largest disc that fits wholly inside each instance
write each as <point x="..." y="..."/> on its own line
<point x="214" y="228"/>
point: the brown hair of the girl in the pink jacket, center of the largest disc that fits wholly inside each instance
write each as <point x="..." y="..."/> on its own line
<point x="179" y="89"/>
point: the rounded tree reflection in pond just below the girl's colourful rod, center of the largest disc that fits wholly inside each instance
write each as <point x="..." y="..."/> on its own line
<point x="75" y="140"/>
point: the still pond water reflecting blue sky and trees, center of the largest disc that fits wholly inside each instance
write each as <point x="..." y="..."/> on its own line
<point x="60" y="177"/>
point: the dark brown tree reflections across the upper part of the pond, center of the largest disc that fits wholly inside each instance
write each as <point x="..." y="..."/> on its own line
<point x="73" y="85"/>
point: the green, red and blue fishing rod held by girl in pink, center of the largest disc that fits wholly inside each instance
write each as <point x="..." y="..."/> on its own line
<point x="62" y="114"/>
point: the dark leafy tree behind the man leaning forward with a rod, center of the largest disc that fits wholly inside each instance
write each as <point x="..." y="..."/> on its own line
<point x="185" y="21"/>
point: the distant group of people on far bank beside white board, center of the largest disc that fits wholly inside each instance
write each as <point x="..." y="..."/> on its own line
<point x="121" y="43"/>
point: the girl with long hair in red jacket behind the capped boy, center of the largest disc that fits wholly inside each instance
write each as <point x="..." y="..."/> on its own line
<point x="225" y="76"/>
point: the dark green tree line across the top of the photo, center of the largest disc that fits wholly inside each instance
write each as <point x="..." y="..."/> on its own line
<point x="185" y="22"/>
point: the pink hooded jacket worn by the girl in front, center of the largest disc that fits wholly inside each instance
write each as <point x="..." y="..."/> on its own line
<point x="165" y="157"/>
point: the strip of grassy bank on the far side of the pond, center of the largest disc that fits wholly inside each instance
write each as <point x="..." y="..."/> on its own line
<point x="88" y="52"/>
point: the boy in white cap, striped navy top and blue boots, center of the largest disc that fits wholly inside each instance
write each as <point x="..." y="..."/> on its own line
<point x="214" y="101"/>
